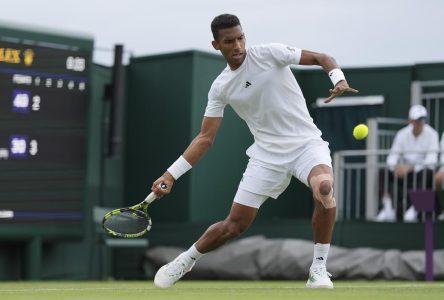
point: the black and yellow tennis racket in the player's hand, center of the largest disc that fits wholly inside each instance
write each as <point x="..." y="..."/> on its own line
<point x="130" y="222"/>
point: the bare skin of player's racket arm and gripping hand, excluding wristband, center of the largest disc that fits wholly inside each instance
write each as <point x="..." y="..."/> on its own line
<point x="195" y="151"/>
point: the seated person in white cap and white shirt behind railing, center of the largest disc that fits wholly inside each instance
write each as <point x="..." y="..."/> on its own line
<point x="408" y="165"/>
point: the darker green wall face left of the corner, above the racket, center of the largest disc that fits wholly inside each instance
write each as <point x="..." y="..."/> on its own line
<point x="158" y="128"/>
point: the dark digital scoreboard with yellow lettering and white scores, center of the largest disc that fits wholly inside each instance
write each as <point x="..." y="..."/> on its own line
<point x="43" y="126"/>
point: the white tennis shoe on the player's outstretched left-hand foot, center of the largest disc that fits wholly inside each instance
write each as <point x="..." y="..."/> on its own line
<point x="170" y="273"/>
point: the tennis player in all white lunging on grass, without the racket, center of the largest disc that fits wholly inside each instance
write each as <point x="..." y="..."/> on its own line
<point x="262" y="90"/>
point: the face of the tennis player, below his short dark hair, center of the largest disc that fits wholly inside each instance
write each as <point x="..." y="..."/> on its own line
<point x="231" y="43"/>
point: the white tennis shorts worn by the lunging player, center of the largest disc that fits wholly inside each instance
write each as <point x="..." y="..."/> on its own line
<point x="263" y="180"/>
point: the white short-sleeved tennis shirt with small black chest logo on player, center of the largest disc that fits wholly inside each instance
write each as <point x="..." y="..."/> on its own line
<point x="265" y="94"/>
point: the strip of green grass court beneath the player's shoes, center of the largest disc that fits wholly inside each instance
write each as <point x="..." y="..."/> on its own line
<point x="218" y="290"/>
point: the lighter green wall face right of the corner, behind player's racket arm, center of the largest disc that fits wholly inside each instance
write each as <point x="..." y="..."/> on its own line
<point x="214" y="180"/>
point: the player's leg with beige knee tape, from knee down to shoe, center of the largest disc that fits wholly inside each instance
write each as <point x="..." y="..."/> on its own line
<point x="323" y="219"/>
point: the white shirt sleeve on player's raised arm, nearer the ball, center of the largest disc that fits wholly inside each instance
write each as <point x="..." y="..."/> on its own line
<point x="281" y="54"/>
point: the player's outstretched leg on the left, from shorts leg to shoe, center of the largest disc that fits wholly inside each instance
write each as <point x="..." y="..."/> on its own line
<point x="259" y="182"/>
